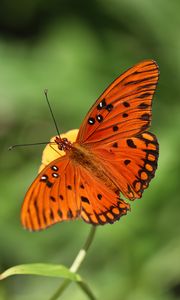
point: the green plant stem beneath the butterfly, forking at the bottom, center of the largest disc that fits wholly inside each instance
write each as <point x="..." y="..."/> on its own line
<point x="75" y="266"/>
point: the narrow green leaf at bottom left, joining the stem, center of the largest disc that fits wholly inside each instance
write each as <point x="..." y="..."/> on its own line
<point x="42" y="270"/>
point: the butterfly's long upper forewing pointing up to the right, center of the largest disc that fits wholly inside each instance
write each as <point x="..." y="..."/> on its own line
<point x="124" y="109"/>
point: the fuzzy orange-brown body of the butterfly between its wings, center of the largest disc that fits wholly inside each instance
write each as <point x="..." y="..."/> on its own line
<point x="84" y="157"/>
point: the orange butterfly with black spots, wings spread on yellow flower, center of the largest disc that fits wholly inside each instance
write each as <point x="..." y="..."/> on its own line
<point x="113" y="156"/>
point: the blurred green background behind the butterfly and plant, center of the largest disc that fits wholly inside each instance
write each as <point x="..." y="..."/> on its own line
<point x="75" y="49"/>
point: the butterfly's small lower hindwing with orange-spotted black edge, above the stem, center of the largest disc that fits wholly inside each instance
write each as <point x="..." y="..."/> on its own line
<point x="99" y="204"/>
